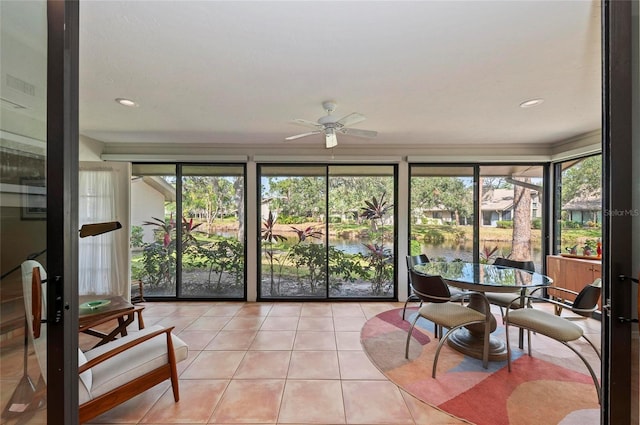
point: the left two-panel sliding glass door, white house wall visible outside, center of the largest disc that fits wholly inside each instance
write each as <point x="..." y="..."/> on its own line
<point x="188" y="234"/>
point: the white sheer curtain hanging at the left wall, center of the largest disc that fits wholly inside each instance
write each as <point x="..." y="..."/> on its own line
<point x="98" y="262"/>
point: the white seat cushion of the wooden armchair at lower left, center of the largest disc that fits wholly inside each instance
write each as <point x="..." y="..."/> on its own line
<point x="133" y="362"/>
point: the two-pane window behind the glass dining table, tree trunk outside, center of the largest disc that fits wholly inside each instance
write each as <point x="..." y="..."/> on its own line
<point x="506" y="199"/>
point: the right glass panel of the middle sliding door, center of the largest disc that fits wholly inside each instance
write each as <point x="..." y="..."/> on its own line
<point x="362" y="229"/>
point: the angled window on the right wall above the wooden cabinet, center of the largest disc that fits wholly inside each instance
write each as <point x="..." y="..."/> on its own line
<point x="578" y="203"/>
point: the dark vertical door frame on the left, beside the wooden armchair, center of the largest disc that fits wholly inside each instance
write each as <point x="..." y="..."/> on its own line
<point x="62" y="211"/>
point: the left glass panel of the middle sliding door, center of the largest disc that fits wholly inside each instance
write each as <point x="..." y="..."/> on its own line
<point x="293" y="232"/>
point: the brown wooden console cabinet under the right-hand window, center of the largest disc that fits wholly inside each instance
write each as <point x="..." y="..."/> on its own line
<point x="573" y="273"/>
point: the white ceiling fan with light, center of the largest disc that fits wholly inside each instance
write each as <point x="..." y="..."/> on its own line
<point x="330" y="126"/>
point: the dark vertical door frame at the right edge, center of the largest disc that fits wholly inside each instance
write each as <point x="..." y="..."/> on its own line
<point x="618" y="206"/>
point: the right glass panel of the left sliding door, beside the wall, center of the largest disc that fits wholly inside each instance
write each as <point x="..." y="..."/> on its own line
<point x="213" y="231"/>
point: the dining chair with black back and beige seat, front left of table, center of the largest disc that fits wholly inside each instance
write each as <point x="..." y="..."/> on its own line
<point x="444" y="313"/>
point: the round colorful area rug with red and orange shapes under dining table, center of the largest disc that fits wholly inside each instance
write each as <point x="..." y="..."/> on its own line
<point x="541" y="389"/>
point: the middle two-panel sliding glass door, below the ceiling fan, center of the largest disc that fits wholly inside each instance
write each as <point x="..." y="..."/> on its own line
<point x="327" y="231"/>
